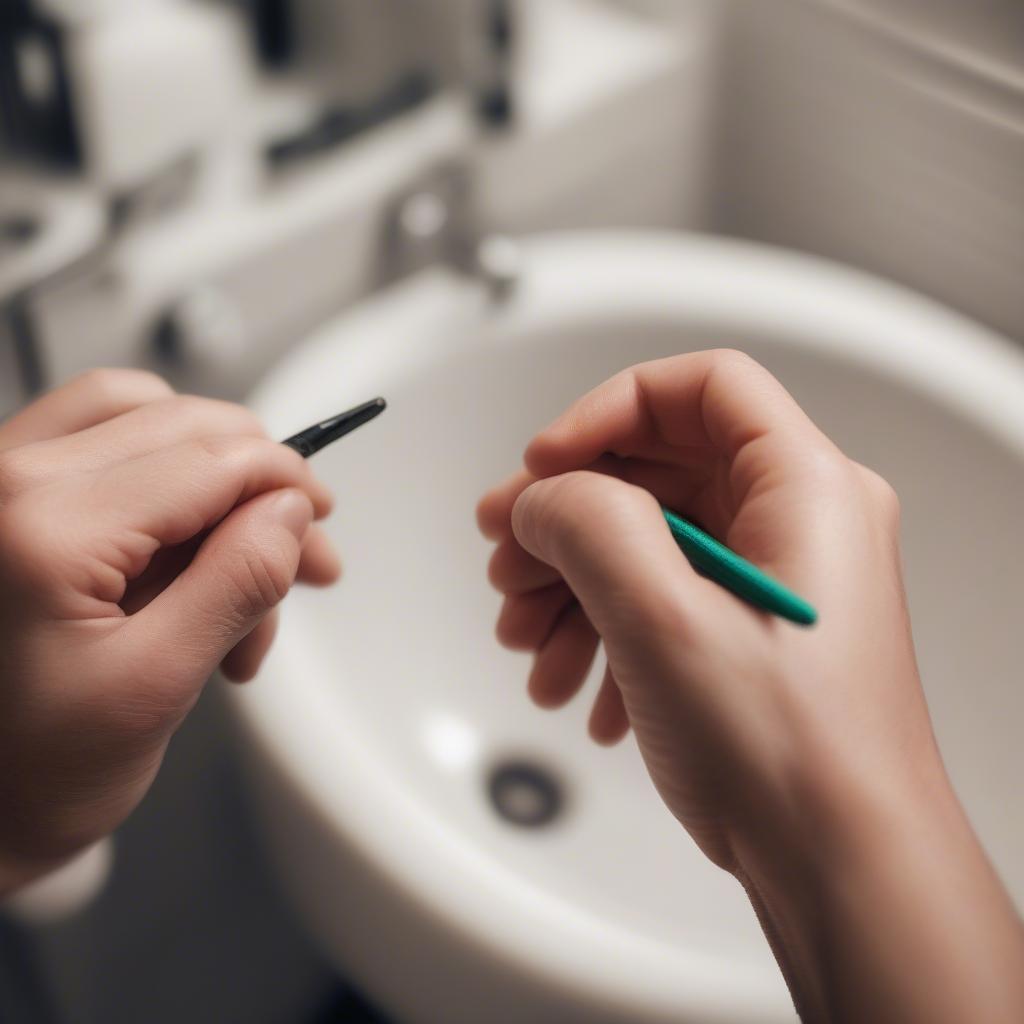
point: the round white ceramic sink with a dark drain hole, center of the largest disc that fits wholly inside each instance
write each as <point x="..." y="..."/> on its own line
<point x="466" y="858"/>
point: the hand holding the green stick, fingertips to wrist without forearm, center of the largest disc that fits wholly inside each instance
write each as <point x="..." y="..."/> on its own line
<point x="731" y="706"/>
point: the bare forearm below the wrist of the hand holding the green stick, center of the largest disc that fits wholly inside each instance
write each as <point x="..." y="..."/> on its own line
<point x="888" y="910"/>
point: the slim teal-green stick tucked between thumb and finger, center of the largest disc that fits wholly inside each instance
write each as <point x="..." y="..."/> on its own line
<point x="723" y="566"/>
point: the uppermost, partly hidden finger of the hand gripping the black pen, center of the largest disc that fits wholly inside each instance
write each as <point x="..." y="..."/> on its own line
<point x="89" y="400"/>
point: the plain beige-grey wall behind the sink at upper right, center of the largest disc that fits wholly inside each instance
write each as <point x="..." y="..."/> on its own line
<point x="885" y="134"/>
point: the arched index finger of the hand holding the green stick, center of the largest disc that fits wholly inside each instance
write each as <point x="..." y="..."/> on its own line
<point x="719" y="399"/>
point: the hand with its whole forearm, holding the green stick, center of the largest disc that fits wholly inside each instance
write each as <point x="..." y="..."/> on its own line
<point x="798" y="759"/>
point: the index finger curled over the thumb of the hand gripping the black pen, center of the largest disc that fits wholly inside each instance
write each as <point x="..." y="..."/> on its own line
<point x="169" y="496"/>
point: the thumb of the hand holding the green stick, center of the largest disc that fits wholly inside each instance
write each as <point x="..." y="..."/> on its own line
<point x="610" y="542"/>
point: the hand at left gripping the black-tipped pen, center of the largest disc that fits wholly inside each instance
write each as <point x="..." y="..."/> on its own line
<point x="145" y="539"/>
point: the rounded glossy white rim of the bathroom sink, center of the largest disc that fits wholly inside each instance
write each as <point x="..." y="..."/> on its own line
<point x="961" y="364"/>
